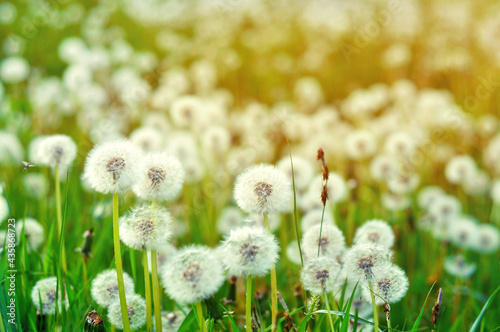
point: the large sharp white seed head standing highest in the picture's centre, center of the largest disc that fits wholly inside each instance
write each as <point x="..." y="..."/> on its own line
<point x="262" y="189"/>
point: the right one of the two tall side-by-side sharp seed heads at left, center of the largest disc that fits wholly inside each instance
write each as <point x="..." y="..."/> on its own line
<point x="161" y="177"/>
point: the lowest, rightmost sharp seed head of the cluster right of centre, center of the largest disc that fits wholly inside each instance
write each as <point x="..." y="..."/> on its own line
<point x="390" y="287"/>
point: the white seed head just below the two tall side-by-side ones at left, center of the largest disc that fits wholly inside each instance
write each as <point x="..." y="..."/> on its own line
<point x="146" y="227"/>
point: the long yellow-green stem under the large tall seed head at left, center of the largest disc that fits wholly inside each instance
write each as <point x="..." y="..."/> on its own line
<point x="119" y="267"/>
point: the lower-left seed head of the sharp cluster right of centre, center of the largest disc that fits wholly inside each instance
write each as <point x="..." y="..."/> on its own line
<point x="320" y="274"/>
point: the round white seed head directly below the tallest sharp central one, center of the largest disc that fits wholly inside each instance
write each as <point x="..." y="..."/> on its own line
<point x="249" y="250"/>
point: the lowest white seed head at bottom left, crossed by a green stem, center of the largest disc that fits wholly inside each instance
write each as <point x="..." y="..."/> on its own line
<point x="136" y="307"/>
